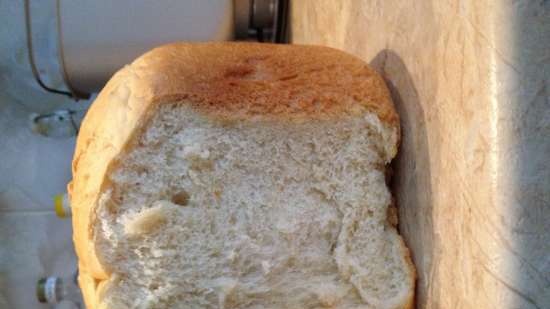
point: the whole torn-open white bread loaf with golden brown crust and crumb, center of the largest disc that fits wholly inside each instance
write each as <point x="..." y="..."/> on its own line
<point x="239" y="175"/>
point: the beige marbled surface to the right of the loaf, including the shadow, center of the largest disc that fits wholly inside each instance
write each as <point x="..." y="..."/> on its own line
<point x="470" y="80"/>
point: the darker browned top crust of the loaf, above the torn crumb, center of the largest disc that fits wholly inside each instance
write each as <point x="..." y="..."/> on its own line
<point x="244" y="80"/>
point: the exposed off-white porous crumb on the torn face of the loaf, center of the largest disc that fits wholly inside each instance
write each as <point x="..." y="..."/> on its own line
<point x="200" y="213"/>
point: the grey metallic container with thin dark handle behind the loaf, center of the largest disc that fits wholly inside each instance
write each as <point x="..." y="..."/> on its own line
<point x="96" y="38"/>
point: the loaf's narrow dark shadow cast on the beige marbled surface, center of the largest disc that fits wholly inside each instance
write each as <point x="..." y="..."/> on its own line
<point x="411" y="183"/>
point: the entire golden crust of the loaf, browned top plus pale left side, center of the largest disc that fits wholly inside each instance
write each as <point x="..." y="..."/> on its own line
<point x="225" y="81"/>
